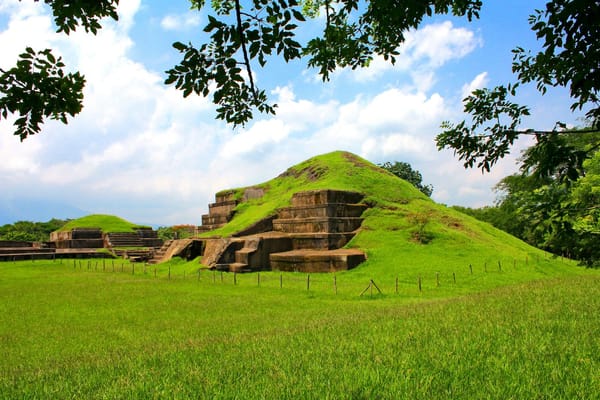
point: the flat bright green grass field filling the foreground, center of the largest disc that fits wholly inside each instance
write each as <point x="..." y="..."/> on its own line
<point x="80" y="330"/>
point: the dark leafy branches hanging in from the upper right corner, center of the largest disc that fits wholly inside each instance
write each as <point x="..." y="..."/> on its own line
<point x="570" y="32"/>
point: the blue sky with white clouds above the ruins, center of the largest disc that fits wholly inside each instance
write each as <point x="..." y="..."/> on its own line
<point x="141" y="151"/>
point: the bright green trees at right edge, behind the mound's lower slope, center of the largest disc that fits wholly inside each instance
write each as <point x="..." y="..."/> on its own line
<point x="548" y="211"/>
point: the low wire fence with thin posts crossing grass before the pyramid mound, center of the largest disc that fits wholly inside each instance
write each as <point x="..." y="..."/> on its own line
<point x="412" y="283"/>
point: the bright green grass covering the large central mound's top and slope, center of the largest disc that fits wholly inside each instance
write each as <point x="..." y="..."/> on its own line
<point x="404" y="232"/>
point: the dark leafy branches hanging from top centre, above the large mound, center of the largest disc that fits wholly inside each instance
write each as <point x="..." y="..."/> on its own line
<point x="244" y="34"/>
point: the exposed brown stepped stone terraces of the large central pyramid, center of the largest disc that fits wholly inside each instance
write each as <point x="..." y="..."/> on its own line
<point x="307" y="236"/>
